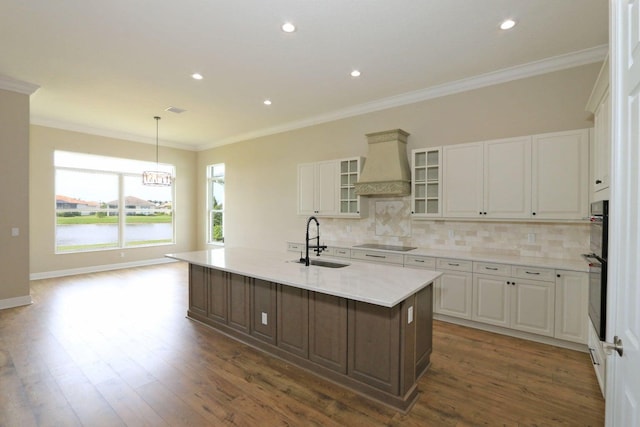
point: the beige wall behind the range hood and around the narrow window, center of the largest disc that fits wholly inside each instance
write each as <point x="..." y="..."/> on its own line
<point x="261" y="174"/>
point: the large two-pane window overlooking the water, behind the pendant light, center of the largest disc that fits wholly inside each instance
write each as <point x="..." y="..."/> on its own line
<point x="102" y="204"/>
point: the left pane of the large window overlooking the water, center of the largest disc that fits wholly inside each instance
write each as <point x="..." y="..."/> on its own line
<point x="83" y="219"/>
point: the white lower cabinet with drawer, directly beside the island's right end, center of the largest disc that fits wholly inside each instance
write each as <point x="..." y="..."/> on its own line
<point x="453" y="290"/>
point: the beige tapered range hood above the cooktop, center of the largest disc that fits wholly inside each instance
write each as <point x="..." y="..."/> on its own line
<point x="386" y="170"/>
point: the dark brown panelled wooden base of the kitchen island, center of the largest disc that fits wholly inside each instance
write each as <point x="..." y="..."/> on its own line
<point x="378" y="351"/>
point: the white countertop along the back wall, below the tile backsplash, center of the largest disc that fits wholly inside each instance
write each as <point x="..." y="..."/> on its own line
<point x="574" y="264"/>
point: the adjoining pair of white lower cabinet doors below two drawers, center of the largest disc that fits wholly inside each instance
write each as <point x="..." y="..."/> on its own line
<point x="521" y="304"/>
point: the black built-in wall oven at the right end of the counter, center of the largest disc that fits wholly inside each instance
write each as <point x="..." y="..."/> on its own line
<point x="597" y="260"/>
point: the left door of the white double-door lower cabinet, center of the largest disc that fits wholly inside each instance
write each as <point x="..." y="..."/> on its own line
<point x="491" y="300"/>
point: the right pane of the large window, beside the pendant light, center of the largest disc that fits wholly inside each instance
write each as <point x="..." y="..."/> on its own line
<point x="148" y="213"/>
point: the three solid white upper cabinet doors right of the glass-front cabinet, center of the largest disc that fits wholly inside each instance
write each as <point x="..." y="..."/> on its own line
<point x="532" y="177"/>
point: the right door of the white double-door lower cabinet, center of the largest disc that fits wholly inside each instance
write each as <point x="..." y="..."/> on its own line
<point x="532" y="306"/>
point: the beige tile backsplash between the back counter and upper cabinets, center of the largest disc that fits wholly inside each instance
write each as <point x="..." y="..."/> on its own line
<point x="389" y="222"/>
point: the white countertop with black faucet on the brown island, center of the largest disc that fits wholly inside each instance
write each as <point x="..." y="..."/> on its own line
<point x="383" y="285"/>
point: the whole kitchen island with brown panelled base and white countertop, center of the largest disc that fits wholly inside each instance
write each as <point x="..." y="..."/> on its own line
<point x="365" y="326"/>
